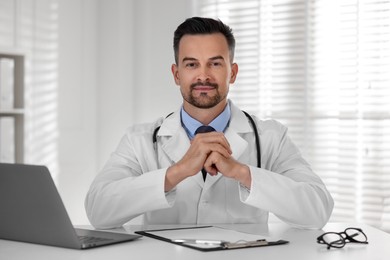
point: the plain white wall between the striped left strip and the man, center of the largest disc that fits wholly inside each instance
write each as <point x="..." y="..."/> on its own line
<point x="114" y="70"/>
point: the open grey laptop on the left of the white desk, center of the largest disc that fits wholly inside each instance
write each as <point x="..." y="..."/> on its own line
<point x="32" y="211"/>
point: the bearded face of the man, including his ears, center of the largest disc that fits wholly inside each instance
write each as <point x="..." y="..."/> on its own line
<point x="204" y="70"/>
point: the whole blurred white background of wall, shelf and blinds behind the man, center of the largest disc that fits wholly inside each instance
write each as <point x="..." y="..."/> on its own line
<point x="75" y="74"/>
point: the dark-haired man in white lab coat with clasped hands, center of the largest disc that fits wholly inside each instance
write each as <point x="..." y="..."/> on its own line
<point x="160" y="177"/>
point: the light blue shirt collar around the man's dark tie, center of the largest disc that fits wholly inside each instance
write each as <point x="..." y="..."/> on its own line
<point x="220" y="123"/>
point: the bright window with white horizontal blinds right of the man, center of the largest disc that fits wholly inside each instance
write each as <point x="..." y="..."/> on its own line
<point x="321" y="67"/>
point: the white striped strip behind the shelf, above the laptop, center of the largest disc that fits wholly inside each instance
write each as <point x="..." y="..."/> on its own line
<point x="31" y="27"/>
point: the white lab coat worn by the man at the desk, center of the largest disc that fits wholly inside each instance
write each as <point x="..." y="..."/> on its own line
<point x="132" y="181"/>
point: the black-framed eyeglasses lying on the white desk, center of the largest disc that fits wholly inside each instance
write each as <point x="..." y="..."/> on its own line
<point x="338" y="240"/>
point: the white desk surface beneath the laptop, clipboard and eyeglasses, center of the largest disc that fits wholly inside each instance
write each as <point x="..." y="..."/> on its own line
<point x="302" y="245"/>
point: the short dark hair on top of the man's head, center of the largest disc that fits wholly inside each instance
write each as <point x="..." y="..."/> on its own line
<point x="201" y="25"/>
